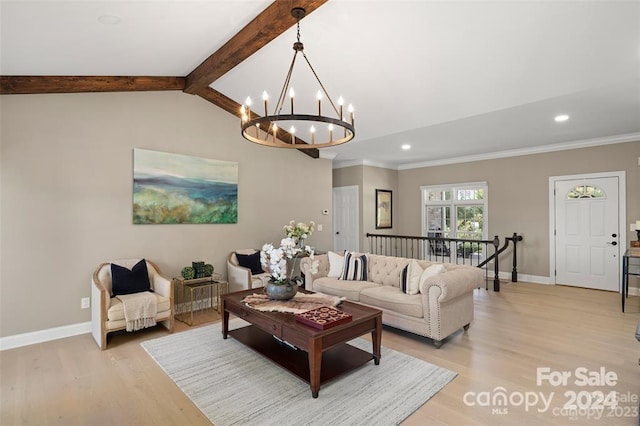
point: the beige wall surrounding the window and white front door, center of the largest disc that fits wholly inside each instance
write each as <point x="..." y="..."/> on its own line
<point x="519" y="193"/>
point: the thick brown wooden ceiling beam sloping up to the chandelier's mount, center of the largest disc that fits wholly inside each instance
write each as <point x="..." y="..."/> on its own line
<point x="265" y="27"/>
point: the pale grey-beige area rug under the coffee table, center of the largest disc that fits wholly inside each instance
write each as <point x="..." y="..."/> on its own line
<point x="232" y="385"/>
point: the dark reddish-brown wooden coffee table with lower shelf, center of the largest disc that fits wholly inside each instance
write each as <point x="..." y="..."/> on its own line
<point x="315" y="356"/>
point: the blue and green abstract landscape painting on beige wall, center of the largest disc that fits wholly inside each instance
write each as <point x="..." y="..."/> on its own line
<point x="172" y="188"/>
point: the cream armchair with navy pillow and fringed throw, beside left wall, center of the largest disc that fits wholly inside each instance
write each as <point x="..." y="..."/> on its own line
<point x="107" y="311"/>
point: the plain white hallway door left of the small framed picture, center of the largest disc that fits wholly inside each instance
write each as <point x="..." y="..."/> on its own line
<point x="346" y="223"/>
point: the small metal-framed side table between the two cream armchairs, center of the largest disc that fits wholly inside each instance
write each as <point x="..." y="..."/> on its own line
<point x="197" y="296"/>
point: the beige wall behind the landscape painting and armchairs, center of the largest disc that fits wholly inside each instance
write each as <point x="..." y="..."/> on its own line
<point x="66" y="182"/>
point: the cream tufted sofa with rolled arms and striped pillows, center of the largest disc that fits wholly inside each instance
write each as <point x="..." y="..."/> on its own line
<point x="443" y="305"/>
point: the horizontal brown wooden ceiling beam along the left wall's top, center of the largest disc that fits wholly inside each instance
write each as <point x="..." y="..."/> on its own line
<point x="14" y="85"/>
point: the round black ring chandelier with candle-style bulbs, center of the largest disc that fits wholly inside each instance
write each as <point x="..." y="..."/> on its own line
<point x="281" y="130"/>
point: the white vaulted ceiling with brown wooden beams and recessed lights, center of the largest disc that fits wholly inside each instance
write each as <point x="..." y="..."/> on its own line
<point x="454" y="79"/>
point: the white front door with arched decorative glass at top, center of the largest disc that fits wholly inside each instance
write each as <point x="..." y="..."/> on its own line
<point x="587" y="233"/>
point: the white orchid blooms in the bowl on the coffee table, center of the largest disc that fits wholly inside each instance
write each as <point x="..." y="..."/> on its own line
<point x="280" y="261"/>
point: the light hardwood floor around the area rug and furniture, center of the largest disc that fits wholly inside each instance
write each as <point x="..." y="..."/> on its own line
<point x="515" y="332"/>
